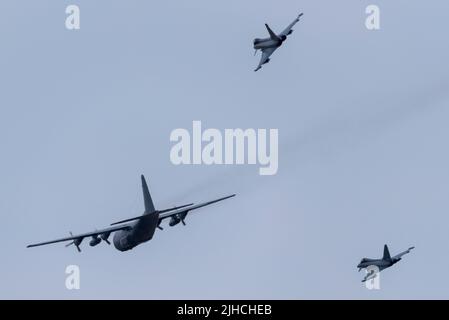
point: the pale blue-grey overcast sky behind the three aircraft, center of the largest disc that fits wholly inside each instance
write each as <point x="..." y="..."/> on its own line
<point x="363" y="147"/>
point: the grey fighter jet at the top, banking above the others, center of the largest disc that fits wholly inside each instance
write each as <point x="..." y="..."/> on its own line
<point x="269" y="45"/>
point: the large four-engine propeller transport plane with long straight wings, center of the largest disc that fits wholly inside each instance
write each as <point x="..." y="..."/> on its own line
<point x="127" y="234"/>
